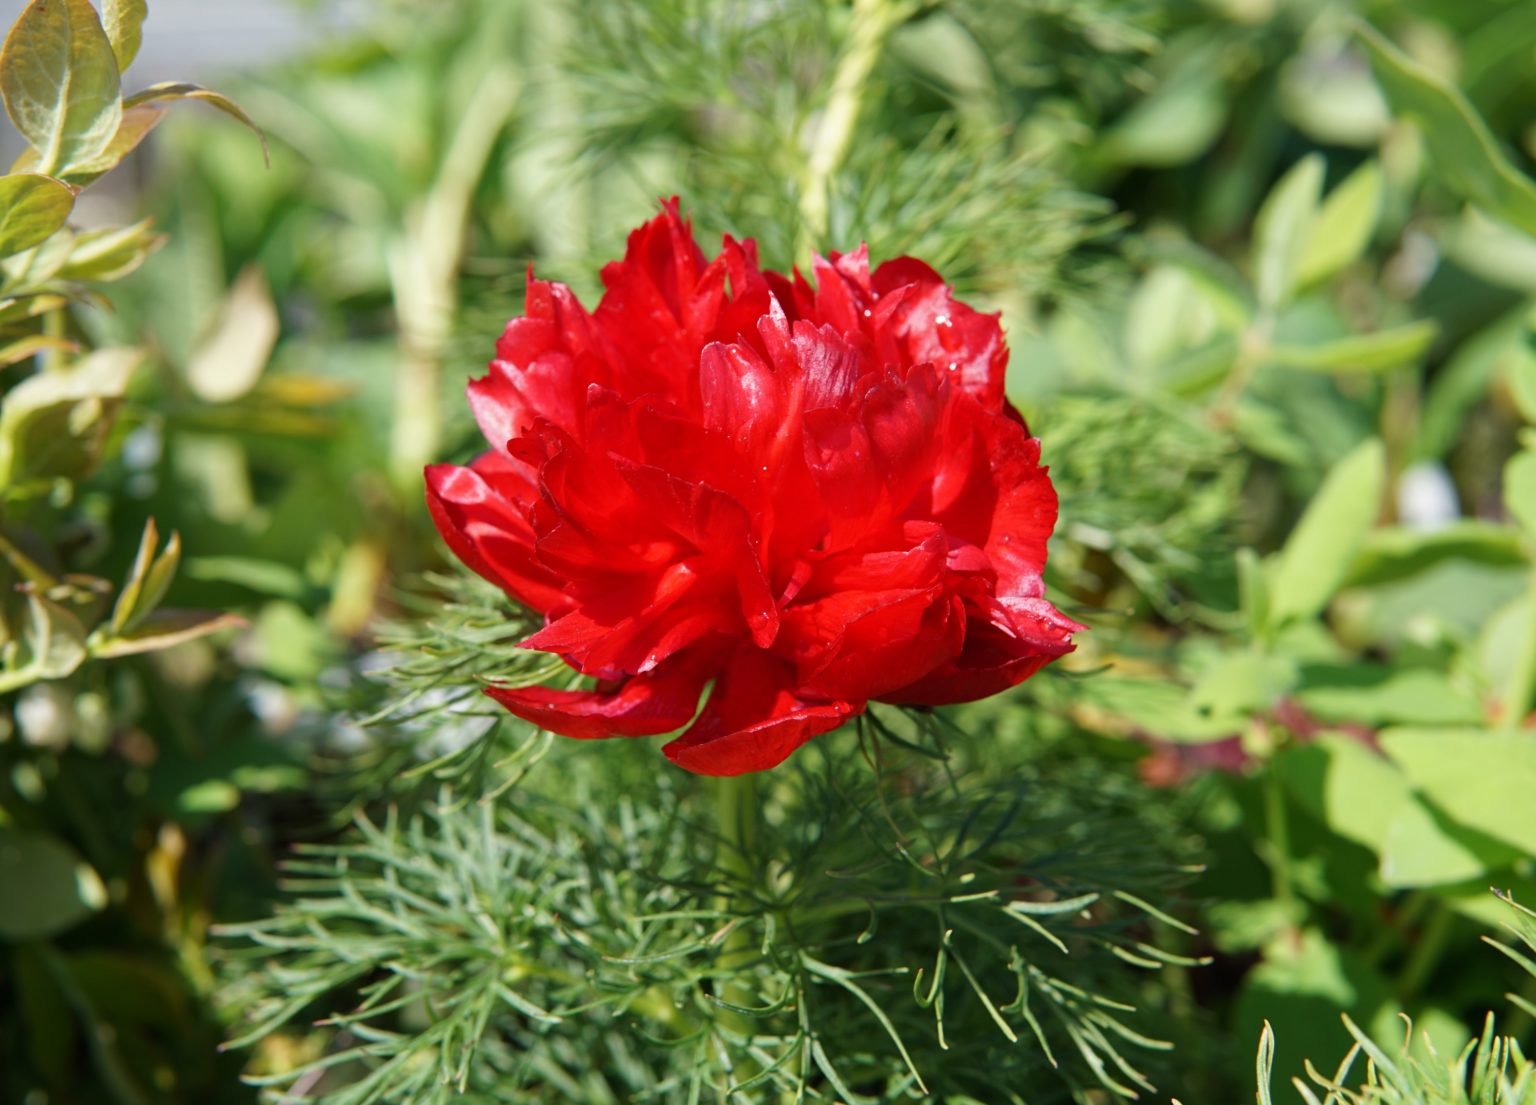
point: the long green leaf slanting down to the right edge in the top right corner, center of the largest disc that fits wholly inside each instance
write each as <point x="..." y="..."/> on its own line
<point x="1462" y="150"/>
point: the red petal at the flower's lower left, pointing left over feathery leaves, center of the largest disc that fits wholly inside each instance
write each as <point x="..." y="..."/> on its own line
<point x="641" y="706"/>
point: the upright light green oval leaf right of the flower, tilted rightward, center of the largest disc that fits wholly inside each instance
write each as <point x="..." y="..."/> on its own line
<point x="1319" y="556"/>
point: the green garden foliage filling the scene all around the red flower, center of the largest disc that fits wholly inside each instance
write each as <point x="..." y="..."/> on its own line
<point x="1268" y="276"/>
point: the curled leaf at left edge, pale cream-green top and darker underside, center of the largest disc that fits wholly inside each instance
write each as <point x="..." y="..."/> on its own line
<point x="53" y="425"/>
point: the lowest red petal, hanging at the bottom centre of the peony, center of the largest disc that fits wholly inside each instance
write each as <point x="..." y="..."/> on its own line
<point x="753" y="720"/>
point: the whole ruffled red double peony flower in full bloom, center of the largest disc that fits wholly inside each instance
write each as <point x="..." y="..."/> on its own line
<point x="812" y="496"/>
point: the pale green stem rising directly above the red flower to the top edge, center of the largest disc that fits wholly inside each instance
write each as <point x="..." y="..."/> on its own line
<point x="873" y="22"/>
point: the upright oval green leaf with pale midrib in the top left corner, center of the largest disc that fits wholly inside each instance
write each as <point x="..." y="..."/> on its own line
<point x="61" y="82"/>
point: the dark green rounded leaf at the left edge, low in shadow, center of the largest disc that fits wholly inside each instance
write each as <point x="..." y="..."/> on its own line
<point x="53" y="889"/>
